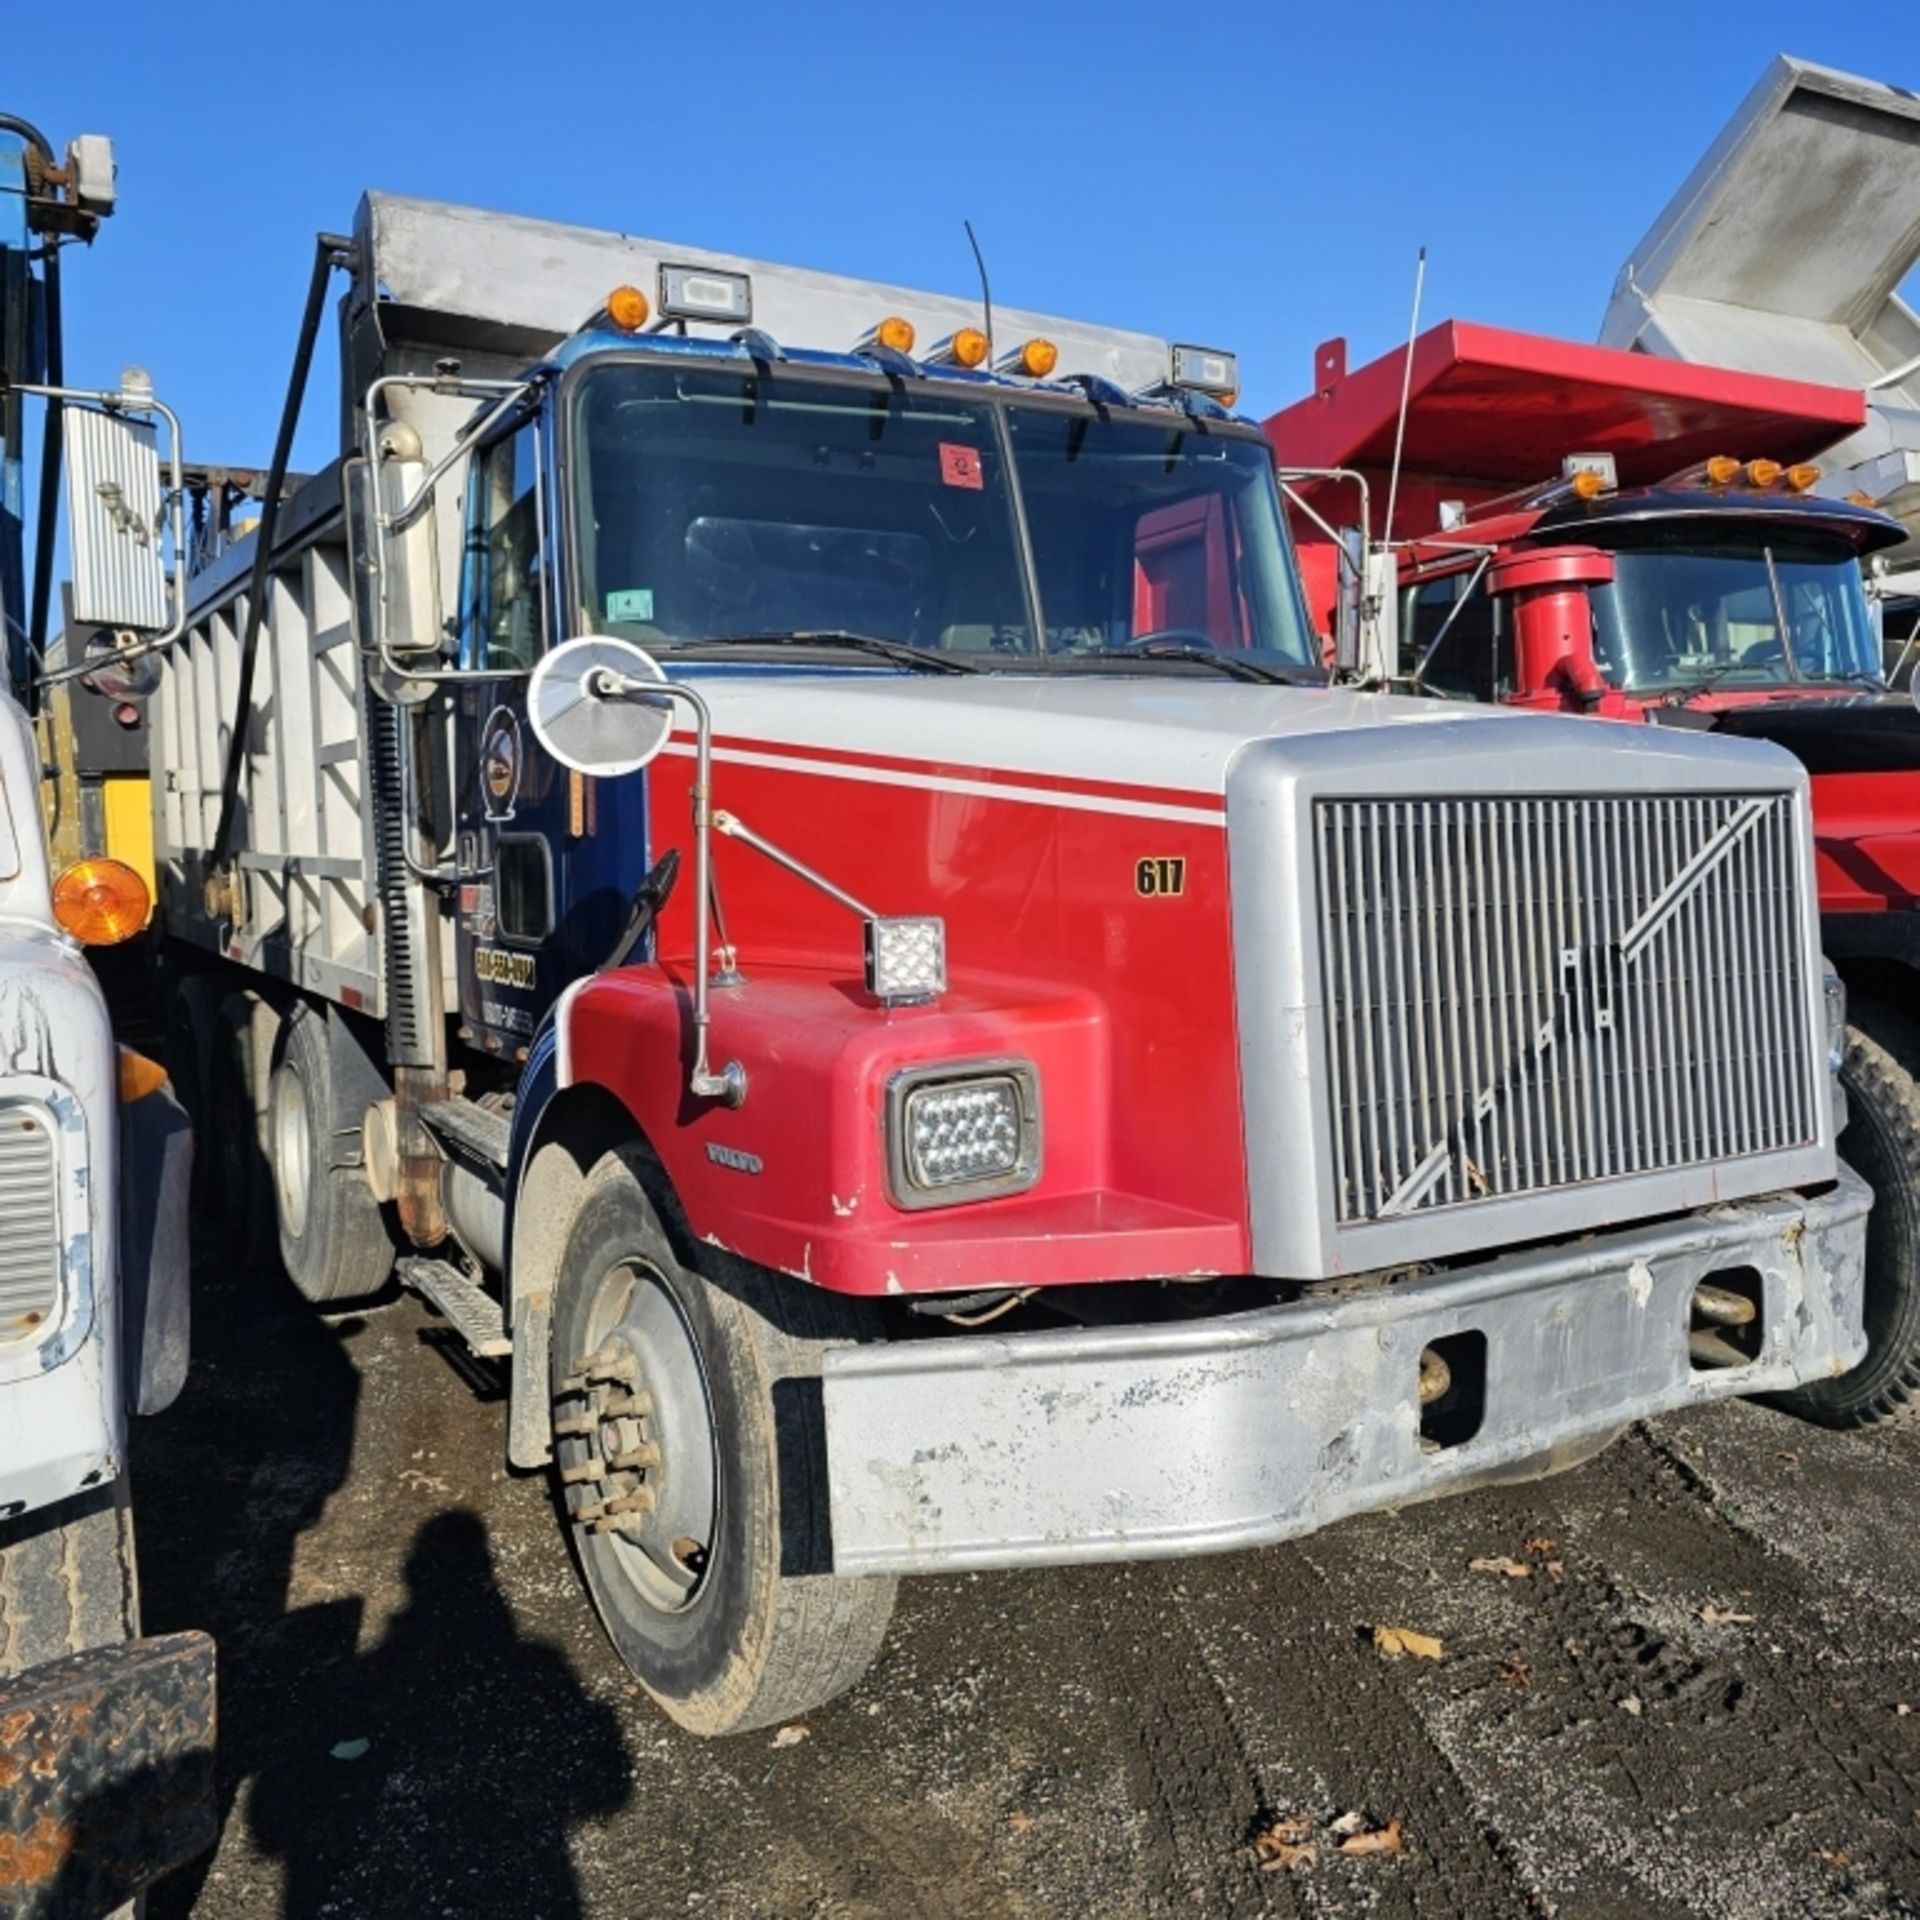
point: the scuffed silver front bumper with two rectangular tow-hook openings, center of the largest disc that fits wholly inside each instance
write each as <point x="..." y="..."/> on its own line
<point x="1141" y="1443"/>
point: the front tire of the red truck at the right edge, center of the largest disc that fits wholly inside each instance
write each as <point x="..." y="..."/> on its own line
<point x="1883" y="1145"/>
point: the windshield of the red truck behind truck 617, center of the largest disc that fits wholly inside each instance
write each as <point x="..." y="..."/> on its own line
<point x="1765" y="610"/>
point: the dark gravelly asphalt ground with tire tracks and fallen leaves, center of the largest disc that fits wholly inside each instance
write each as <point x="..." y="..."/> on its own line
<point x="1687" y="1683"/>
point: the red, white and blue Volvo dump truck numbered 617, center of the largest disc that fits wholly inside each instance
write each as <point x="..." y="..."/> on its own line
<point x="779" y="848"/>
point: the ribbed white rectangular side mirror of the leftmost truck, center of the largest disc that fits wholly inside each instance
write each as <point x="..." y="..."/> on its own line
<point x="116" y="521"/>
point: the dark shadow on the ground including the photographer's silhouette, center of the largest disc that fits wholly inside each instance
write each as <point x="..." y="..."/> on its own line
<point x="481" y="1746"/>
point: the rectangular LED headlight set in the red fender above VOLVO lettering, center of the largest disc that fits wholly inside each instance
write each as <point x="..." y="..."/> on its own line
<point x="963" y="1132"/>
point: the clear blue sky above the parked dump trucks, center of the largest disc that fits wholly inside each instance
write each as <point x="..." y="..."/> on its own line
<point x="1243" y="176"/>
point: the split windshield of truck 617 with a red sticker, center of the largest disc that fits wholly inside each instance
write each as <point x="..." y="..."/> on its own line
<point x="715" y="504"/>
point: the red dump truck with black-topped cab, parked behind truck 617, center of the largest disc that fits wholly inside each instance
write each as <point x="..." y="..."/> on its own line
<point x="1587" y="531"/>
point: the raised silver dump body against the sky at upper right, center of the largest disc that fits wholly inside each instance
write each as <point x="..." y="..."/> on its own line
<point x="1785" y="252"/>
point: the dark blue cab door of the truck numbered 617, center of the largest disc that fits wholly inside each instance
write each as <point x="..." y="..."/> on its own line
<point x="539" y="901"/>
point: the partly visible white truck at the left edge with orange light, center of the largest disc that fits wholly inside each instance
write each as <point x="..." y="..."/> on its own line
<point x="107" y="1762"/>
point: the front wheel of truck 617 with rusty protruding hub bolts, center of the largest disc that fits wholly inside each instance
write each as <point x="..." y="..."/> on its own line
<point x="692" y="1462"/>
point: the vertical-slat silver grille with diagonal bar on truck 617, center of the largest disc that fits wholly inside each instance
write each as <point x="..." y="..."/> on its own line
<point x="1531" y="994"/>
